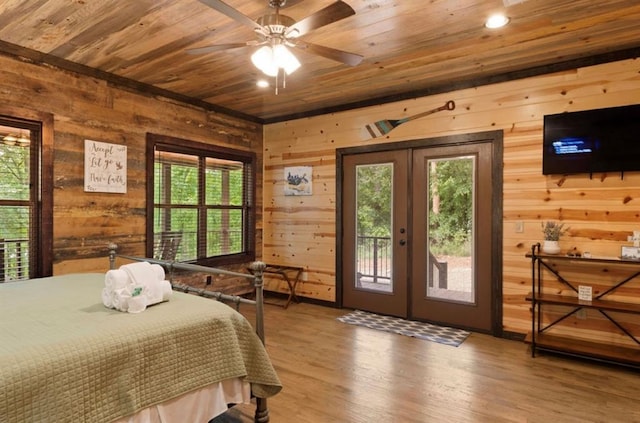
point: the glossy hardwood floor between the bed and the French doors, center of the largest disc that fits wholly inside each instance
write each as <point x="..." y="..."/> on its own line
<point x="335" y="372"/>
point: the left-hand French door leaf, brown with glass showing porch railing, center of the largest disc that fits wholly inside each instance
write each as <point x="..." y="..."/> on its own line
<point x="375" y="226"/>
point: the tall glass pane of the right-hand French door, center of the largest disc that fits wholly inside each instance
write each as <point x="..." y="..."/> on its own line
<point x="450" y="228"/>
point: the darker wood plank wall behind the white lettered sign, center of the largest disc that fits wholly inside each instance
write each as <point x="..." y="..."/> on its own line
<point x="86" y="108"/>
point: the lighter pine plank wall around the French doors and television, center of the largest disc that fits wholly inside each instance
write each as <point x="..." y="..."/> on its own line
<point x="601" y="211"/>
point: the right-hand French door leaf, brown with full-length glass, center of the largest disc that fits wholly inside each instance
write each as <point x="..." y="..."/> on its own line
<point x="451" y="236"/>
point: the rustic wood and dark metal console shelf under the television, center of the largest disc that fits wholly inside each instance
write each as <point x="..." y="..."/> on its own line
<point x="540" y="337"/>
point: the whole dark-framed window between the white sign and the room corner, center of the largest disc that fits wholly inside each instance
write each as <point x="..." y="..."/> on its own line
<point x="202" y="202"/>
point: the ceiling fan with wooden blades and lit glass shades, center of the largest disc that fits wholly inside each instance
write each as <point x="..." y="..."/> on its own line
<point x="276" y="32"/>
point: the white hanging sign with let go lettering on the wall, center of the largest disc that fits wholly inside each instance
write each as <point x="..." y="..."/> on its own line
<point x="105" y="167"/>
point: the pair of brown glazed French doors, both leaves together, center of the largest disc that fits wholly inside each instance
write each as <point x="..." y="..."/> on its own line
<point x="418" y="233"/>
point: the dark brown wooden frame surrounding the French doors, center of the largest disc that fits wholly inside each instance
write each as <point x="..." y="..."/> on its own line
<point x="495" y="138"/>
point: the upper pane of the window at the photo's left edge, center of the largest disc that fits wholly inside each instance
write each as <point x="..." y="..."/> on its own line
<point x="14" y="172"/>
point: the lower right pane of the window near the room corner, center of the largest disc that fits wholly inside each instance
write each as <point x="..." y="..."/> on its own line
<point x="224" y="232"/>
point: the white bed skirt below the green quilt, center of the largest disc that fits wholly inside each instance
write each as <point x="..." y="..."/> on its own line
<point x="200" y="405"/>
